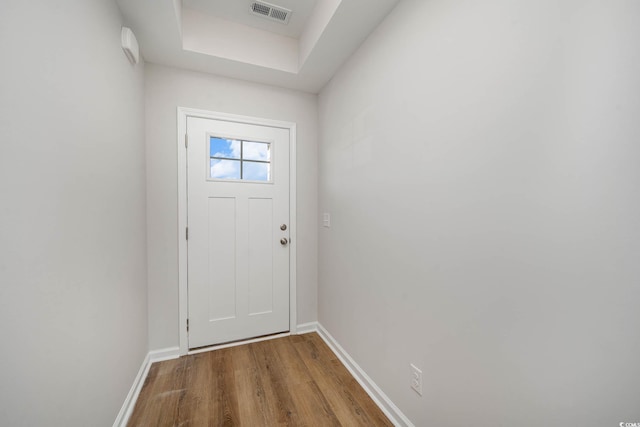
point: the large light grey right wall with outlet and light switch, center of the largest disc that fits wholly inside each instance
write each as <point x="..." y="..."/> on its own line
<point x="480" y="162"/>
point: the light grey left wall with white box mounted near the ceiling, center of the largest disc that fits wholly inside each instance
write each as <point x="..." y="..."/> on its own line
<point x="73" y="314"/>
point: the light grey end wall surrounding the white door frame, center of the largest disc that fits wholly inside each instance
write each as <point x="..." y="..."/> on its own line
<point x="168" y="88"/>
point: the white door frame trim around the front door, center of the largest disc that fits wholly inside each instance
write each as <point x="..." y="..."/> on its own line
<point x="183" y="113"/>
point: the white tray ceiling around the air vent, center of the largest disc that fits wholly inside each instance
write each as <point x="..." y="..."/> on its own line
<point x="221" y="37"/>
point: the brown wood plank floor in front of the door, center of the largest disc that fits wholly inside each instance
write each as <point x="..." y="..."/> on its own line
<point x="295" y="381"/>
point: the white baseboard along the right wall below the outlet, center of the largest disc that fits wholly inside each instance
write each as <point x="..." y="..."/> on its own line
<point x="382" y="400"/>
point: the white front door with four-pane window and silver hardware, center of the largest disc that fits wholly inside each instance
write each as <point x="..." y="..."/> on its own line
<point x="238" y="230"/>
